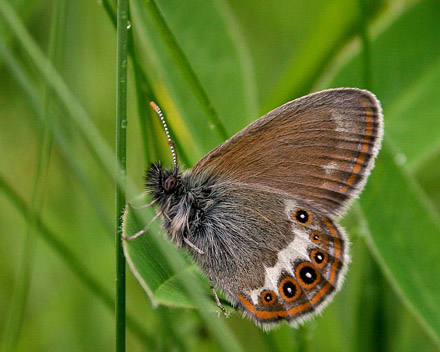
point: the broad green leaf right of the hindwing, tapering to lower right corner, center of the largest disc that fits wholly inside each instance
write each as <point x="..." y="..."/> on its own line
<point x="406" y="247"/>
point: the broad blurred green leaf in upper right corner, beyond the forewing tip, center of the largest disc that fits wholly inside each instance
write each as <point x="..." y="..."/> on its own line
<point x="409" y="95"/>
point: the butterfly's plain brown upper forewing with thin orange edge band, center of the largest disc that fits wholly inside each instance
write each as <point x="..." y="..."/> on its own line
<point x="320" y="148"/>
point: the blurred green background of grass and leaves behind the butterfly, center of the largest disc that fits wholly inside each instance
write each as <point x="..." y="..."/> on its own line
<point x="57" y="132"/>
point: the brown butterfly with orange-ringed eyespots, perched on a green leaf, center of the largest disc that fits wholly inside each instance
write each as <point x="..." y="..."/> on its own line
<point x="258" y="213"/>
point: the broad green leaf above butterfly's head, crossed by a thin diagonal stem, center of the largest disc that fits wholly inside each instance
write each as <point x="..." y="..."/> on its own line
<point x="224" y="69"/>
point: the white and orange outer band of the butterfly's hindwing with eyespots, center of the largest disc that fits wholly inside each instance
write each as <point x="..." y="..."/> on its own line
<point x="306" y="275"/>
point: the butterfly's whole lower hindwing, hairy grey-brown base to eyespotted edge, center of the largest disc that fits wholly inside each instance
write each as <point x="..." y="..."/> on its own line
<point x="274" y="256"/>
